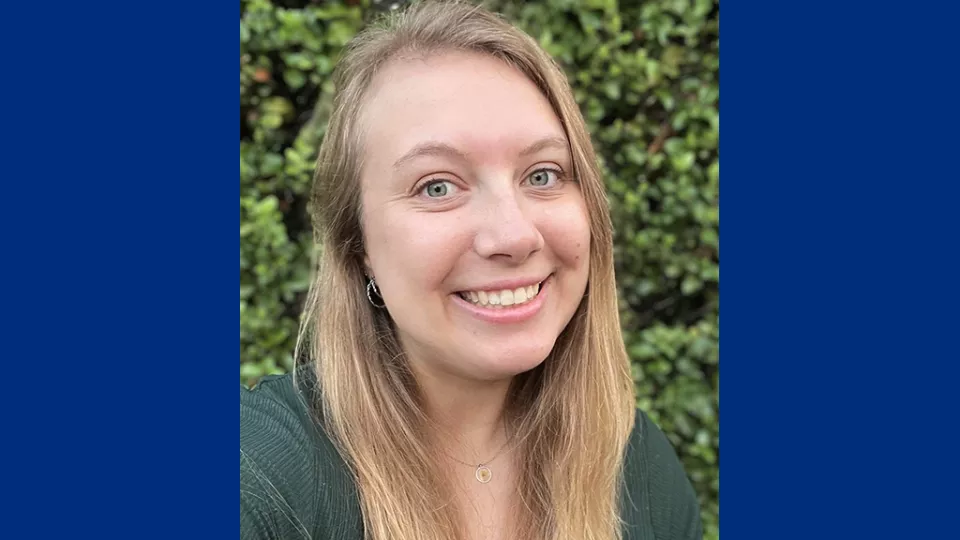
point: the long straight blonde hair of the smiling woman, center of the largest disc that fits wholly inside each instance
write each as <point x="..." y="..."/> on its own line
<point x="572" y="415"/>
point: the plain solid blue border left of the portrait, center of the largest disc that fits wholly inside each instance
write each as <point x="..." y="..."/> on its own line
<point x="120" y="203"/>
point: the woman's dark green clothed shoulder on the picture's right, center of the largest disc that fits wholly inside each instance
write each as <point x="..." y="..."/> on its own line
<point x="660" y="500"/>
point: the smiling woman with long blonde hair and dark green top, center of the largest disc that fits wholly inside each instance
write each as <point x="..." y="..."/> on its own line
<point x="468" y="378"/>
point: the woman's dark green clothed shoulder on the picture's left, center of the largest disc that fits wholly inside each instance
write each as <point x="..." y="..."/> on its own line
<point x="289" y="469"/>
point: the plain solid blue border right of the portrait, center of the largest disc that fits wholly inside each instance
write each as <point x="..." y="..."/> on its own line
<point x="839" y="187"/>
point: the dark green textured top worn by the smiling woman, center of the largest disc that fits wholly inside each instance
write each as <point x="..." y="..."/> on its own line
<point x="294" y="484"/>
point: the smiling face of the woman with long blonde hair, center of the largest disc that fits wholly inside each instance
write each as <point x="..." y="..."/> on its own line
<point x="476" y="233"/>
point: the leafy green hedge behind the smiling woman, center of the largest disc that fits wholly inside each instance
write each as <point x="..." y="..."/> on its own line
<point x="647" y="78"/>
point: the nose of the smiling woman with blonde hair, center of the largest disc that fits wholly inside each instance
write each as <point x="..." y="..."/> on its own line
<point x="507" y="230"/>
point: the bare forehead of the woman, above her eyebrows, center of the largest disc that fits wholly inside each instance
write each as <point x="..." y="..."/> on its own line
<point x="470" y="101"/>
